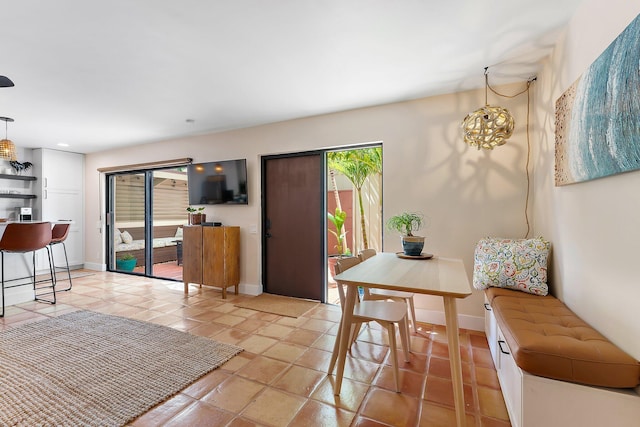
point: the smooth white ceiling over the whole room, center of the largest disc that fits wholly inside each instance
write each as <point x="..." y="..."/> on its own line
<point x="102" y="74"/>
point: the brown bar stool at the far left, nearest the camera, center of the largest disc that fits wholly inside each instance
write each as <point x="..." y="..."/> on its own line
<point x="23" y="238"/>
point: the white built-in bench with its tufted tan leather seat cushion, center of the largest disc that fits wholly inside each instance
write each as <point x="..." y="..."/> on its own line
<point x="555" y="369"/>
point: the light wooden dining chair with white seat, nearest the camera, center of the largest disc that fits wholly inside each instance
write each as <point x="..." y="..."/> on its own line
<point x="386" y="313"/>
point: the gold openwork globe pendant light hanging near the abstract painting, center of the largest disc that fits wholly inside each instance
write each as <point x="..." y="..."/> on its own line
<point x="488" y="126"/>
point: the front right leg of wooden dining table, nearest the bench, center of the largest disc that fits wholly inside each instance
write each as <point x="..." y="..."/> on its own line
<point x="451" y="315"/>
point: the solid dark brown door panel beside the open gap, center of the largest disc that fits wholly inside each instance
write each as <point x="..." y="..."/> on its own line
<point x="293" y="226"/>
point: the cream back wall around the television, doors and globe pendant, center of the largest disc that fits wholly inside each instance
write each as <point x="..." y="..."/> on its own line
<point x="466" y="194"/>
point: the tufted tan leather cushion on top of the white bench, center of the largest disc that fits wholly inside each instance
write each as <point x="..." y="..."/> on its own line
<point x="549" y="340"/>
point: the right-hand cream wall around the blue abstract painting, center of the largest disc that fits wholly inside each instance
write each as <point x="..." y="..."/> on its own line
<point x="594" y="226"/>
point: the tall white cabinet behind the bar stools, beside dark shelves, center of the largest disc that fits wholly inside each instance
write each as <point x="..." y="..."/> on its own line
<point x="60" y="196"/>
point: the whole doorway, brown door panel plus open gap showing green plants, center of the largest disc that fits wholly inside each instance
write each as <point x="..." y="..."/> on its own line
<point x="300" y="192"/>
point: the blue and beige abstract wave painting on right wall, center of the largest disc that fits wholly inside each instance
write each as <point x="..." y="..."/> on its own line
<point x="598" y="117"/>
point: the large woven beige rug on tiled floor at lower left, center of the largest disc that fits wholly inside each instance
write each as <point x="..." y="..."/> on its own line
<point x="92" y="369"/>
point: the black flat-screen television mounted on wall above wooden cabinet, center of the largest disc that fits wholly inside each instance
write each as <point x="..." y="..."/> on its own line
<point x="218" y="183"/>
